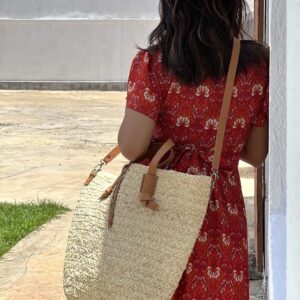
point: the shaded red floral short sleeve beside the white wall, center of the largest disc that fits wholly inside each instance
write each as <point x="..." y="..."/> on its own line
<point x="262" y="114"/>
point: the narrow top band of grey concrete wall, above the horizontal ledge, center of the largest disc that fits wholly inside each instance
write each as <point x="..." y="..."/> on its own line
<point x="87" y="9"/>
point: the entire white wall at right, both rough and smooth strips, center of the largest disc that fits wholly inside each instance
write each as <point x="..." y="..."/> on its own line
<point x="284" y="153"/>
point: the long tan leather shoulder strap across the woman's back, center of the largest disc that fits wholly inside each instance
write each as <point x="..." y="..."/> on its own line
<point x="226" y="102"/>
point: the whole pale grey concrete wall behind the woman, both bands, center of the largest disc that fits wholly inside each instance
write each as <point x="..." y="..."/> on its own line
<point x="72" y="41"/>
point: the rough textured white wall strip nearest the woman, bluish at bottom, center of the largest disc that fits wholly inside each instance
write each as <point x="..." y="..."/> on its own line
<point x="277" y="158"/>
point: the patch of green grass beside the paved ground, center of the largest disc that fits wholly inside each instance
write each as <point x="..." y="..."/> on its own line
<point x="18" y="220"/>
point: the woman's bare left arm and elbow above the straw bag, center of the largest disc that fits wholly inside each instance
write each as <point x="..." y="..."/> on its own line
<point x="135" y="134"/>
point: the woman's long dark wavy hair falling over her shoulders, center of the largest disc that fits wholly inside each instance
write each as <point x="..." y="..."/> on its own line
<point x="195" y="38"/>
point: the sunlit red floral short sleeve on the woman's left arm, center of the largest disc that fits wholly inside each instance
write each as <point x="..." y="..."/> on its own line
<point x="143" y="87"/>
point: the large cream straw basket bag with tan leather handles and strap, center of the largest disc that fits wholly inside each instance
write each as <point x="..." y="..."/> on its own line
<point x="131" y="236"/>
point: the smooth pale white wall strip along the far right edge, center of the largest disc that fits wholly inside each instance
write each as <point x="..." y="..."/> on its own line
<point x="293" y="150"/>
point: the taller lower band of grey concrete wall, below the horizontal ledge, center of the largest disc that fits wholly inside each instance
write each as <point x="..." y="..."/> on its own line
<point x="70" y="50"/>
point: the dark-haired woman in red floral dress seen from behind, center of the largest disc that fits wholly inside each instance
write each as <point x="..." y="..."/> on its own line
<point x="175" y="90"/>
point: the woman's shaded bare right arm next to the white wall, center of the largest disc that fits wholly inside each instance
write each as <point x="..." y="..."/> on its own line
<point x="256" y="148"/>
